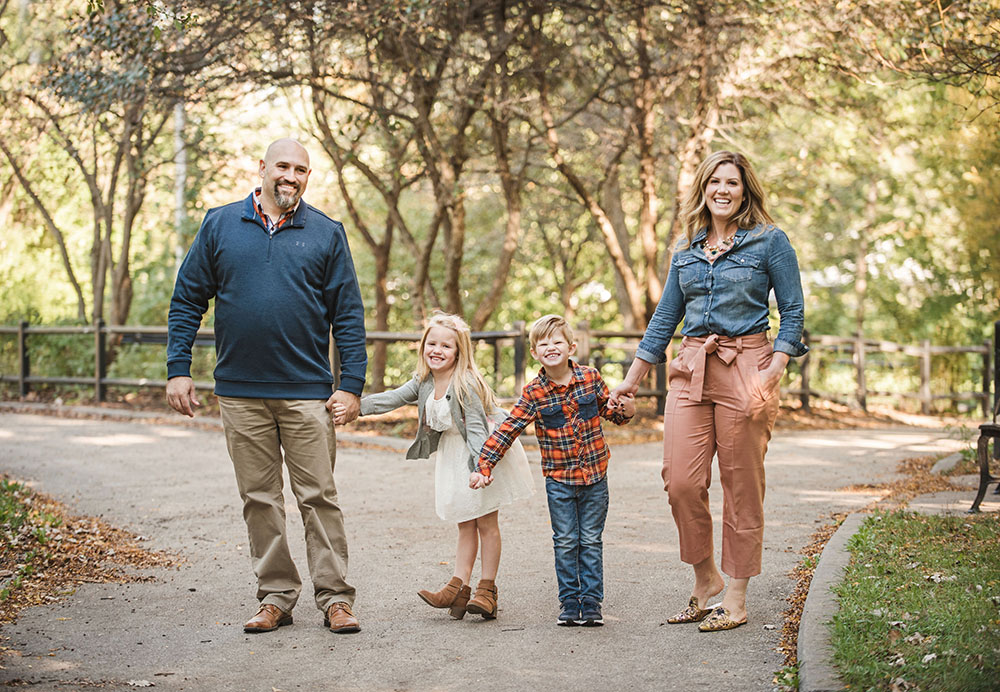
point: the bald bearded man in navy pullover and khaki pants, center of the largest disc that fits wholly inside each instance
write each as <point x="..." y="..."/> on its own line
<point x="282" y="277"/>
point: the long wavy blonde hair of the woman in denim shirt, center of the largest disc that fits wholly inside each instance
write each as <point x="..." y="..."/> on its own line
<point x="694" y="212"/>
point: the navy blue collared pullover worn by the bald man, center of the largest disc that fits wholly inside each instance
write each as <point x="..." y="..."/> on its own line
<point x="276" y="299"/>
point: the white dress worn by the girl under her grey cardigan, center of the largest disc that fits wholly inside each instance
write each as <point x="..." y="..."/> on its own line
<point x="454" y="500"/>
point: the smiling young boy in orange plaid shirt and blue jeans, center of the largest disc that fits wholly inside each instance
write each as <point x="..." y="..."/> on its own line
<point x="565" y="403"/>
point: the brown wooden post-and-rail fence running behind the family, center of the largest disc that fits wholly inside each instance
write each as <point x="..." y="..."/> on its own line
<point x="597" y="347"/>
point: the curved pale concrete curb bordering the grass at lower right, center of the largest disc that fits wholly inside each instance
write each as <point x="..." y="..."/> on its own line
<point x="815" y="654"/>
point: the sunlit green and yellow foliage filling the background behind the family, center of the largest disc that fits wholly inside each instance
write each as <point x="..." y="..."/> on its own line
<point x="853" y="157"/>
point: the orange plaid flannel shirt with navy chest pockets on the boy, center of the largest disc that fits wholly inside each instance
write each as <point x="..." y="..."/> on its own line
<point x="567" y="422"/>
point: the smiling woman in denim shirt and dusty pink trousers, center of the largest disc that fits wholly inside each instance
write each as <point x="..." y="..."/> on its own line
<point x="723" y="396"/>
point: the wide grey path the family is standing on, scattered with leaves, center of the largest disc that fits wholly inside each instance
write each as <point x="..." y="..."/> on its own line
<point x="174" y="484"/>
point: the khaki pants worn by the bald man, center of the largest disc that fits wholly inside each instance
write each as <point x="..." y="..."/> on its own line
<point x="257" y="432"/>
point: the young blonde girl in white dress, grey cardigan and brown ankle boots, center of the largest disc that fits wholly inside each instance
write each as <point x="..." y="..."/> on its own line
<point x="457" y="411"/>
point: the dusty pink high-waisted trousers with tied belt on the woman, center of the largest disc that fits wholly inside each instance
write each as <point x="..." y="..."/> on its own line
<point x="716" y="405"/>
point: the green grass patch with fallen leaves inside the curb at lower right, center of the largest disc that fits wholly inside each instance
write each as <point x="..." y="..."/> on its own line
<point x="920" y="604"/>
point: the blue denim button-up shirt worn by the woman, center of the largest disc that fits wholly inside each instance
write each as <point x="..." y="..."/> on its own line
<point x="730" y="297"/>
